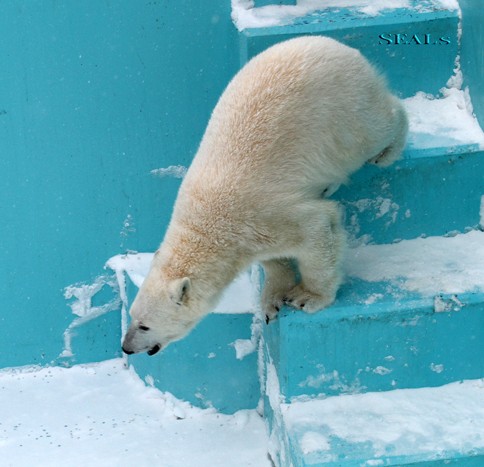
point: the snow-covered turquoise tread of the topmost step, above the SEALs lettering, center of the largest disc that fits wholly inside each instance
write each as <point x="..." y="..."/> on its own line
<point x="335" y="14"/>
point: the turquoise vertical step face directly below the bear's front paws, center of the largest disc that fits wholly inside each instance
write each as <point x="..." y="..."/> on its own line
<point x="408" y="348"/>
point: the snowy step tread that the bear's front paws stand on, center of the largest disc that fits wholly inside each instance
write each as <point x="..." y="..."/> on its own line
<point x="439" y="273"/>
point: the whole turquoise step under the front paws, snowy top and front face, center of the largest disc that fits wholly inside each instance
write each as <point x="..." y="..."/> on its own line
<point x="410" y="315"/>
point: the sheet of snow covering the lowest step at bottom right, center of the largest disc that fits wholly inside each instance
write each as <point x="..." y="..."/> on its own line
<point x="422" y="424"/>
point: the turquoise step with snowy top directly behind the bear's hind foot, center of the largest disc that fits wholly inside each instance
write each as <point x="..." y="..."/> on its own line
<point x="443" y="159"/>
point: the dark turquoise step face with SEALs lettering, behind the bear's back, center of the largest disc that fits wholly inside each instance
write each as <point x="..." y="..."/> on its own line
<point x="372" y="39"/>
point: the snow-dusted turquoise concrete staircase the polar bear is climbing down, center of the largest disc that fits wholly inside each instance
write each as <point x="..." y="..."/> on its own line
<point x="375" y="379"/>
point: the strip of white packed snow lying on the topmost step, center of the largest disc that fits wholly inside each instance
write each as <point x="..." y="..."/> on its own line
<point x="246" y="15"/>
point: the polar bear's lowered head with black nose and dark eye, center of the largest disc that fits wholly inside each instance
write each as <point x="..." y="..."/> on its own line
<point x="162" y="312"/>
